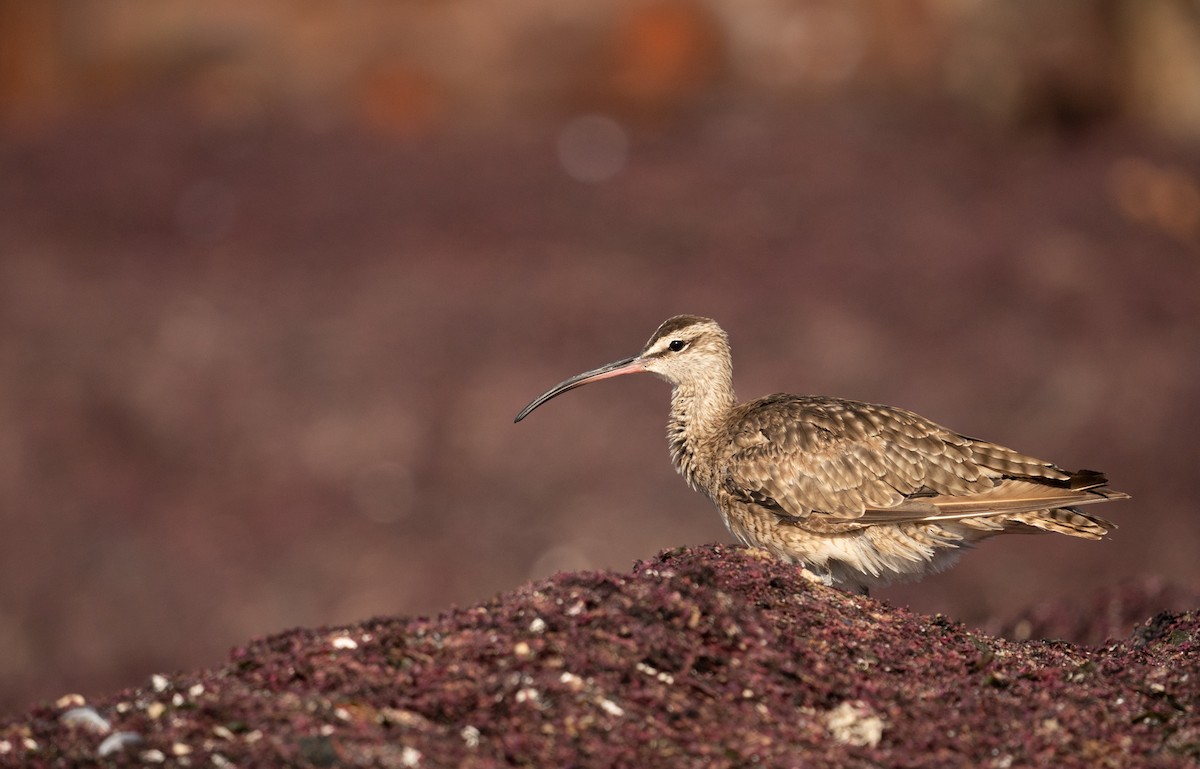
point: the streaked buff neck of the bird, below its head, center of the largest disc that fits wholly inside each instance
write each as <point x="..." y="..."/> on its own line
<point x="699" y="413"/>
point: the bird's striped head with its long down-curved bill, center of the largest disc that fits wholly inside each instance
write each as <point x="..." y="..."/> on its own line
<point x="687" y="351"/>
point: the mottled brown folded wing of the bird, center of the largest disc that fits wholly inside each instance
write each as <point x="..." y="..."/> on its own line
<point x="805" y="456"/>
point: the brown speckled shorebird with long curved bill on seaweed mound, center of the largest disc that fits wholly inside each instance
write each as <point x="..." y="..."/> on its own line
<point x="859" y="495"/>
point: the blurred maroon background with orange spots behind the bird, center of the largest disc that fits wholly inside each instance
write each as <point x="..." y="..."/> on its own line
<point x="275" y="279"/>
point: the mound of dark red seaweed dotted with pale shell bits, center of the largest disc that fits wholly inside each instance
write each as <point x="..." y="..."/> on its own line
<point x="706" y="657"/>
